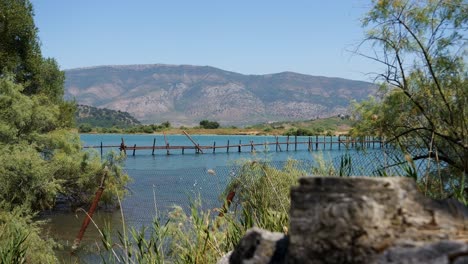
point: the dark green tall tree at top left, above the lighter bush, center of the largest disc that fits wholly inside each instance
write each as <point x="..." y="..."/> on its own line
<point x="20" y="53"/>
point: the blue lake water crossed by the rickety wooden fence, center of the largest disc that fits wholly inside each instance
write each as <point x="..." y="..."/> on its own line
<point x="161" y="180"/>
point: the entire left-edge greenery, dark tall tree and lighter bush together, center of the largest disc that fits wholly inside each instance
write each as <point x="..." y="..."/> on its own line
<point x="40" y="157"/>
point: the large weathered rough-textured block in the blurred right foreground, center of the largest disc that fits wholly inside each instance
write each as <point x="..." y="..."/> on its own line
<point x="367" y="220"/>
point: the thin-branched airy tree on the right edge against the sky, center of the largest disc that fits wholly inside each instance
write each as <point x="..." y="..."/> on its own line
<point x="423" y="108"/>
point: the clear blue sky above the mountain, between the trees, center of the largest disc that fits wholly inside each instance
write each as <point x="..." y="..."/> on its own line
<point x="245" y="36"/>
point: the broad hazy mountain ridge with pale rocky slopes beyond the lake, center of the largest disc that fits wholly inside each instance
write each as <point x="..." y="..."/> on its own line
<point x="185" y="94"/>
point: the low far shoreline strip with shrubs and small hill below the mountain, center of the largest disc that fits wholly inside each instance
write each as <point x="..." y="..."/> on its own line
<point x="96" y="120"/>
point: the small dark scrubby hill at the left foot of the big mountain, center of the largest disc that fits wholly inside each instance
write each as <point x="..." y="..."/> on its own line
<point x="103" y="117"/>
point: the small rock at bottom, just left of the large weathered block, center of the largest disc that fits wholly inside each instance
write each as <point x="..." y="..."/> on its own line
<point x="260" y="246"/>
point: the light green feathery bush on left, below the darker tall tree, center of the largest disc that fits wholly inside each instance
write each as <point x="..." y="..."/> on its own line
<point x="40" y="159"/>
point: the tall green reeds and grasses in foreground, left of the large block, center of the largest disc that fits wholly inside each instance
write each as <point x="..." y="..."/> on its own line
<point x="204" y="236"/>
